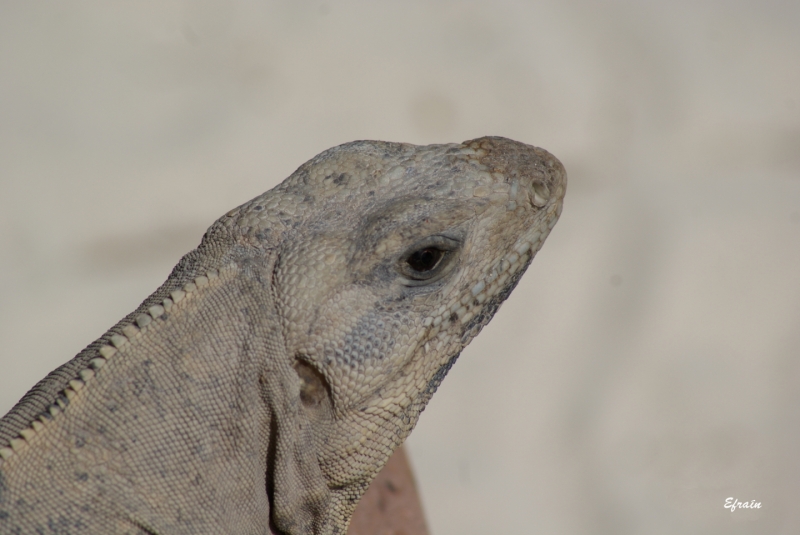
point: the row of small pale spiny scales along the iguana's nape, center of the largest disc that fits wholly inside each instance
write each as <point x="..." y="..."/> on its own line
<point x="105" y="353"/>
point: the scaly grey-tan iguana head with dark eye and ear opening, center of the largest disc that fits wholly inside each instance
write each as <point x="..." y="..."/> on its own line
<point x="390" y="259"/>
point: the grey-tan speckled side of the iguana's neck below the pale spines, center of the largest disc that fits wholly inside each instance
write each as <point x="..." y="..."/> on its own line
<point x="174" y="407"/>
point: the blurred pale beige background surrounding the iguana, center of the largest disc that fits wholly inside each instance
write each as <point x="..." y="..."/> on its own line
<point x="648" y="365"/>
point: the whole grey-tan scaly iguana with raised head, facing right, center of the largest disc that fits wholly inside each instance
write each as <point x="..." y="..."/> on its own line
<point x="268" y="380"/>
